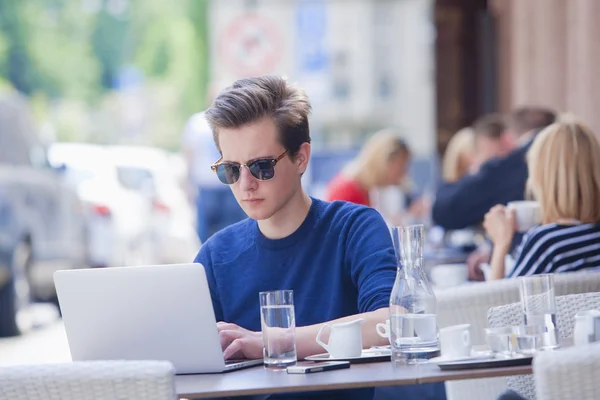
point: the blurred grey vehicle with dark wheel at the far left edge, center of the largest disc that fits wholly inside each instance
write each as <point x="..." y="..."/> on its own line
<point x="41" y="221"/>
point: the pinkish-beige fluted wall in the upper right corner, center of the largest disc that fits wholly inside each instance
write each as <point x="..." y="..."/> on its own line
<point x="549" y="54"/>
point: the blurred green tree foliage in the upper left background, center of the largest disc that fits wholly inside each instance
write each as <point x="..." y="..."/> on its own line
<point x="66" y="56"/>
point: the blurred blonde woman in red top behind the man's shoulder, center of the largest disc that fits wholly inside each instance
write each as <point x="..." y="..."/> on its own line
<point x="382" y="162"/>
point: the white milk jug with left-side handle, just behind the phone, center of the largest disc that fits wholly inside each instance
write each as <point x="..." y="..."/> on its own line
<point x="345" y="339"/>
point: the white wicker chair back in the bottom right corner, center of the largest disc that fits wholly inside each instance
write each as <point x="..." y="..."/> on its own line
<point x="567" y="374"/>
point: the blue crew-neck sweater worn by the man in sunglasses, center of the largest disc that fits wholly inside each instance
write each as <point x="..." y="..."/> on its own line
<point x="339" y="262"/>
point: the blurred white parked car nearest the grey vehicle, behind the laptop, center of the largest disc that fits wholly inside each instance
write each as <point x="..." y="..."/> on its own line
<point x="118" y="219"/>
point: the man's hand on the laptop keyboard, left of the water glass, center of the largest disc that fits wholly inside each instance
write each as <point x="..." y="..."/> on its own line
<point x="238" y="342"/>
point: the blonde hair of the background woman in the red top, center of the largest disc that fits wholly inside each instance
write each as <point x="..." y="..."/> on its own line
<point x="369" y="167"/>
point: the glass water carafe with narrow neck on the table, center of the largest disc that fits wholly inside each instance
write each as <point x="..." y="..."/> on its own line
<point x="413" y="323"/>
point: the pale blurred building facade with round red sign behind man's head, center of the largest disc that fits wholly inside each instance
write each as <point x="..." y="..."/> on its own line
<point x="366" y="64"/>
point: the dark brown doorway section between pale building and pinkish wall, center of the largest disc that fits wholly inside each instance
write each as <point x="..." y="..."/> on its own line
<point x="466" y="65"/>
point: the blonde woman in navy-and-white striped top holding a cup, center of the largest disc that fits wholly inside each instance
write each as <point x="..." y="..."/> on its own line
<point x="564" y="176"/>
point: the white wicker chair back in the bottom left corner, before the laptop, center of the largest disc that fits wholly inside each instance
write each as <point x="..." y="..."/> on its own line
<point x="95" y="380"/>
